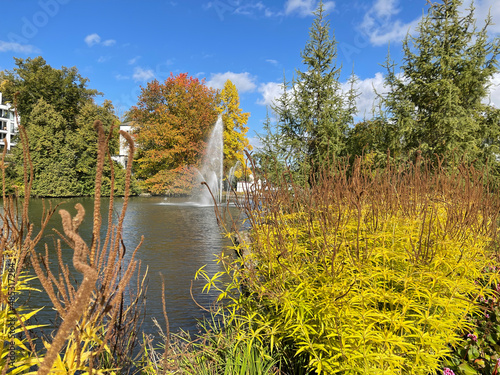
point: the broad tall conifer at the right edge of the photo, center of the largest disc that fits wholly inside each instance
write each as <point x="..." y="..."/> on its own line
<point x="436" y="103"/>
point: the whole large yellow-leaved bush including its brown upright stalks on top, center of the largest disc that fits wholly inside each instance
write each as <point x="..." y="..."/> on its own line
<point x="366" y="271"/>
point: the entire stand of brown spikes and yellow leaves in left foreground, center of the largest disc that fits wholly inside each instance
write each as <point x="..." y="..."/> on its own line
<point x="97" y="331"/>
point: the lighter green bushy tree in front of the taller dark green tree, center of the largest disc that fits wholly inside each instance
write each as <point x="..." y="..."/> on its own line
<point x="63" y="160"/>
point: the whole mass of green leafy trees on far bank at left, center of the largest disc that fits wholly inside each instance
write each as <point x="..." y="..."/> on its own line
<point x="58" y="112"/>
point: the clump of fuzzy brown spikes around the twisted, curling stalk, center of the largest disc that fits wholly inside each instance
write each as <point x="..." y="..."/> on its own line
<point x="97" y="304"/>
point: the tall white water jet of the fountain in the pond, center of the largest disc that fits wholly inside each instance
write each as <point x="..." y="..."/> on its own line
<point x="211" y="171"/>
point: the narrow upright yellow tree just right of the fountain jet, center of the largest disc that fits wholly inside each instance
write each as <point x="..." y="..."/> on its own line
<point x="234" y="119"/>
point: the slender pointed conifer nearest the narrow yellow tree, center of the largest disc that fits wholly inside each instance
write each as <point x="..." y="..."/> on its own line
<point x="314" y="113"/>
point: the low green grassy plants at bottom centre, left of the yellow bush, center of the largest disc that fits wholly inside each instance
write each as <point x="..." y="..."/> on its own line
<point x="220" y="348"/>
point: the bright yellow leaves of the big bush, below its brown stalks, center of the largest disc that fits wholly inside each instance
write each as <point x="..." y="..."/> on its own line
<point x="375" y="307"/>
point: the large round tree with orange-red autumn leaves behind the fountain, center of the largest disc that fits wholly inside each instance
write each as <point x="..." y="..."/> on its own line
<point x="171" y="123"/>
